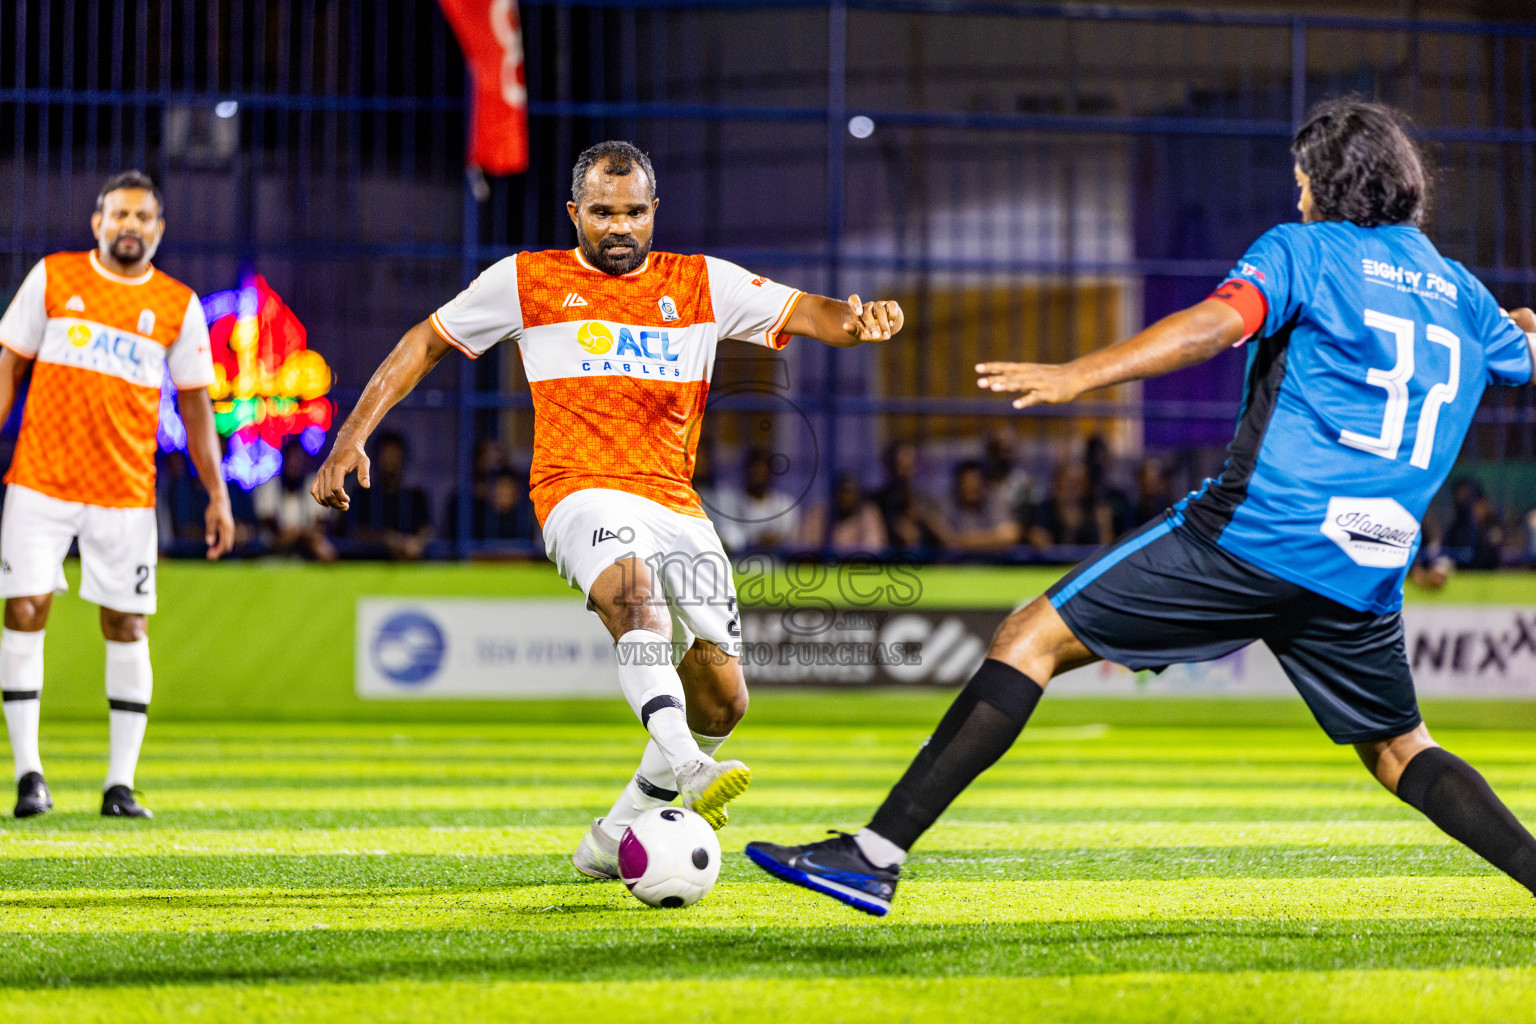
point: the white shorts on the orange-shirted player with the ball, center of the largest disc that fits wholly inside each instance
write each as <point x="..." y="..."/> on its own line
<point x="591" y="530"/>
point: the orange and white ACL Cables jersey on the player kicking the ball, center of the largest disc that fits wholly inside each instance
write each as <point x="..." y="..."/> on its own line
<point x="620" y="366"/>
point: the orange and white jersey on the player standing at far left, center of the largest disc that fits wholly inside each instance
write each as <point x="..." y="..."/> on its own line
<point x="102" y="345"/>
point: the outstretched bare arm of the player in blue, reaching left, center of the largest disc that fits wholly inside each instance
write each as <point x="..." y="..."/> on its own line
<point x="1174" y="343"/>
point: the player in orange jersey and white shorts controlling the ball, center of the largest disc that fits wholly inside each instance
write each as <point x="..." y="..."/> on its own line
<point x="618" y="343"/>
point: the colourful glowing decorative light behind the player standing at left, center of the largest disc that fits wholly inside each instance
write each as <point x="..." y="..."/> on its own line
<point x="268" y="385"/>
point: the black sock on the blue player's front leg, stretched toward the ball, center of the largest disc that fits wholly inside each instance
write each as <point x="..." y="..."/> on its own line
<point x="978" y="730"/>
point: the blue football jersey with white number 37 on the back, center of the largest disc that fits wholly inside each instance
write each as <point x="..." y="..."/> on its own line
<point x="1362" y="386"/>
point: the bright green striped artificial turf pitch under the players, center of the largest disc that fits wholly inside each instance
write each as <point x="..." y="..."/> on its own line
<point x="420" y="873"/>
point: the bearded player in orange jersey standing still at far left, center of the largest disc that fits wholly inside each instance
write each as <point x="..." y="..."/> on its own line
<point x="99" y="331"/>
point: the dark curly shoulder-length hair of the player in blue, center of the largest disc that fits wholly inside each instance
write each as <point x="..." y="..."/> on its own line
<point x="1362" y="164"/>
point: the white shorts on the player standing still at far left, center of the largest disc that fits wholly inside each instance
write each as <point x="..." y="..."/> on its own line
<point x="119" y="549"/>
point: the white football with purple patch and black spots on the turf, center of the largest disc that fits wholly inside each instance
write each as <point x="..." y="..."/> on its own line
<point x="669" y="857"/>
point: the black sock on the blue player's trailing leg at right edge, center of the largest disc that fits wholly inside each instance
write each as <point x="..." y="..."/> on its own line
<point x="1454" y="796"/>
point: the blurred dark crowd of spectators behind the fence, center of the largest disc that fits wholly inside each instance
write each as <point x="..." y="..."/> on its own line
<point x="982" y="507"/>
